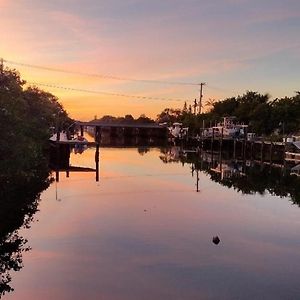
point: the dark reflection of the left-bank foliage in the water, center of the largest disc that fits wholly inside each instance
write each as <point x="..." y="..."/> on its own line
<point x="21" y="182"/>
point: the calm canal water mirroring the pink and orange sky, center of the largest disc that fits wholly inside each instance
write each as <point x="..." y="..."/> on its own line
<point x="143" y="232"/>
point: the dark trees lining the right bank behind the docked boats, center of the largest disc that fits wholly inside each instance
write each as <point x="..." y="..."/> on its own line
<point x="263" y="115"/>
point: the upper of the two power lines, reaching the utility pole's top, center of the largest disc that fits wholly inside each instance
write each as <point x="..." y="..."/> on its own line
<point x="46" y="68"/>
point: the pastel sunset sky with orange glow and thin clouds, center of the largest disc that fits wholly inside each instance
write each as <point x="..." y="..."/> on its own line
<point x="231" y="45"/>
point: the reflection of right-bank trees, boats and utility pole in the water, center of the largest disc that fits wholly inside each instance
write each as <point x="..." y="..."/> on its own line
<point x="246" y="176"/>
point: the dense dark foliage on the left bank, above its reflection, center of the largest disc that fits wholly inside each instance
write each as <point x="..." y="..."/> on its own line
<point x="26" y="116"/>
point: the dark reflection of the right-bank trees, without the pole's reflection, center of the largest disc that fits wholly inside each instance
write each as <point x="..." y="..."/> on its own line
<point x="254" y="179"/>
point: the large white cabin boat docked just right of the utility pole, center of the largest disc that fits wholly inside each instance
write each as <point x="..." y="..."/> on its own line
<point x="228" y="128"/>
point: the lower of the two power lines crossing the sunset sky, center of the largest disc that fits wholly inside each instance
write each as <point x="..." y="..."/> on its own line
<point x="101" y="92"/>
